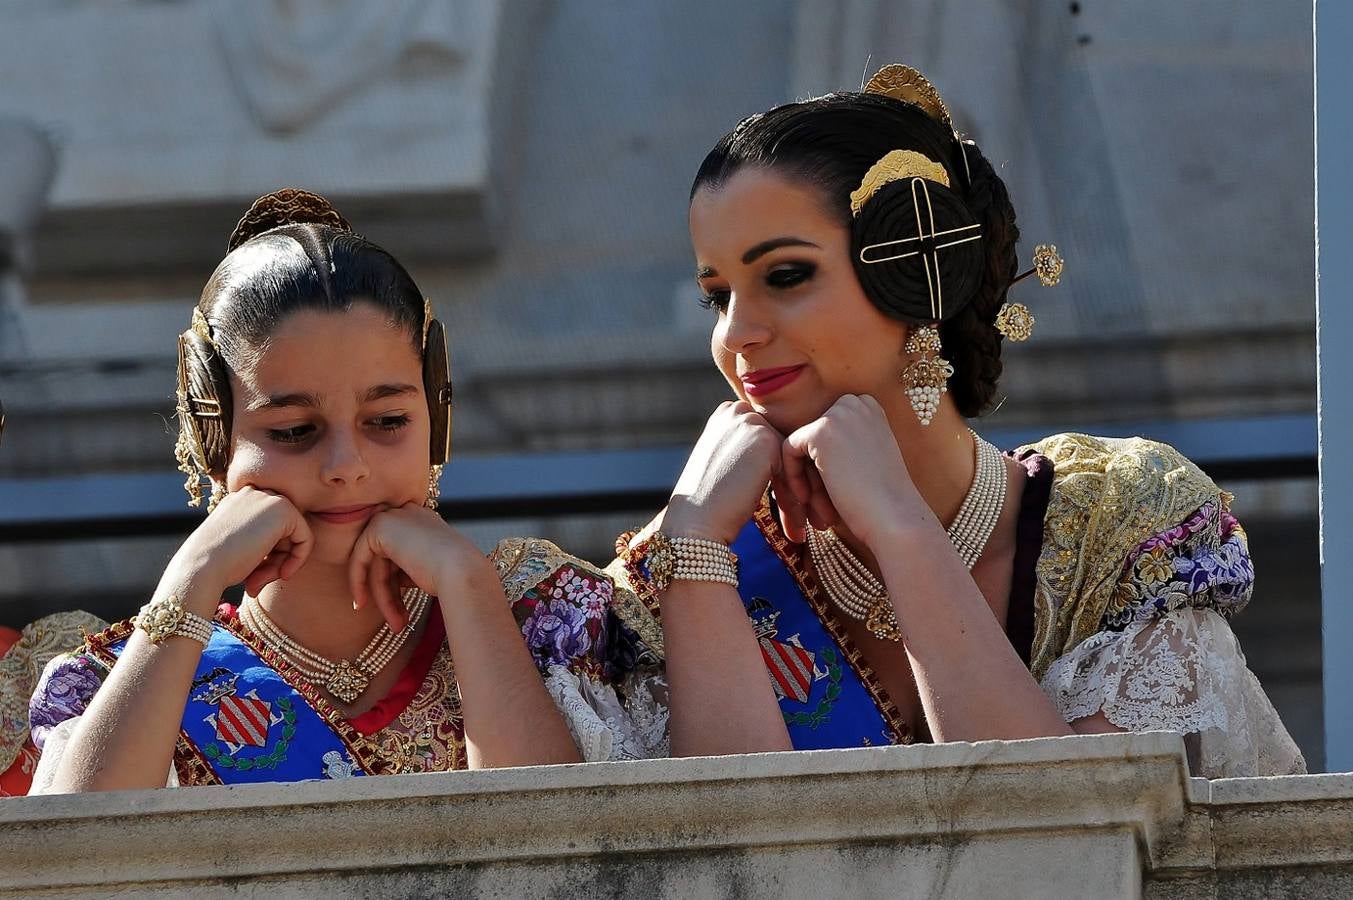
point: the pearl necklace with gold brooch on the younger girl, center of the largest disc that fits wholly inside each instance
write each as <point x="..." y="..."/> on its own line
<point x="347" y="679"/>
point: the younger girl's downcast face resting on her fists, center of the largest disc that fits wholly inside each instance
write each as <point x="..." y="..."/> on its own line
<point x="332" y="415"/>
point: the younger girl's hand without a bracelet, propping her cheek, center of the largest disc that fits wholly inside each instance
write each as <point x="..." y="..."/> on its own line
<point x="412" y="546"/>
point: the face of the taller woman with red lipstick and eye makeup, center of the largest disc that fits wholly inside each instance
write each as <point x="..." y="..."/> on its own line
<point x="795" y="330"/>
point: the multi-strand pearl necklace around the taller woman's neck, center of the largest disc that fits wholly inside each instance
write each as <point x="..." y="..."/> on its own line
<point x="860" y="595"/>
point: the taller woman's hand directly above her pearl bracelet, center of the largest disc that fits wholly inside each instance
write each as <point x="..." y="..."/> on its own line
<point x="726" y="476"/>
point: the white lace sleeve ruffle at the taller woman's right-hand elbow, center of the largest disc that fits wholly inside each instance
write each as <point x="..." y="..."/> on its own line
<point x="1180" y="672"/>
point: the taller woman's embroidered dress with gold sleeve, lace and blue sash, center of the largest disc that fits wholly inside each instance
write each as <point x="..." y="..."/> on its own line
<point x="1128" y="568"/>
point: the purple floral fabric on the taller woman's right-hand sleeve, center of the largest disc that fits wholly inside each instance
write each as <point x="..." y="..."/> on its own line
<point x="1202" y="564"/>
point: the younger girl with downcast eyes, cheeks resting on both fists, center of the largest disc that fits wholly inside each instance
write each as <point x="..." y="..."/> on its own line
<point x="374" y="638"/>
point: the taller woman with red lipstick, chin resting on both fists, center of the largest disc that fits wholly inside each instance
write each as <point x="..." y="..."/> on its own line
<point x="902" y="580"/>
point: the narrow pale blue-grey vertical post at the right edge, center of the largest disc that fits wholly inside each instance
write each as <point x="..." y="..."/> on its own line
<point x="1335" y="334"/>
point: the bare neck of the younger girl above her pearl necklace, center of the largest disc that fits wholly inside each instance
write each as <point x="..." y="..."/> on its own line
<point x="316" y="611"/>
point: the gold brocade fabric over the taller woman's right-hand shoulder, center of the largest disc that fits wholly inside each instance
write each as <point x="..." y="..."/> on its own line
<point x="1109" y="496"/>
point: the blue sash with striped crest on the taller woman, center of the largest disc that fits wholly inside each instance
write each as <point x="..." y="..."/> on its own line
<point x="822" y="696"/>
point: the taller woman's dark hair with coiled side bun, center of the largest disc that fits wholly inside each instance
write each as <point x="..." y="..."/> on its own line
<point x="831" y="143"/>
